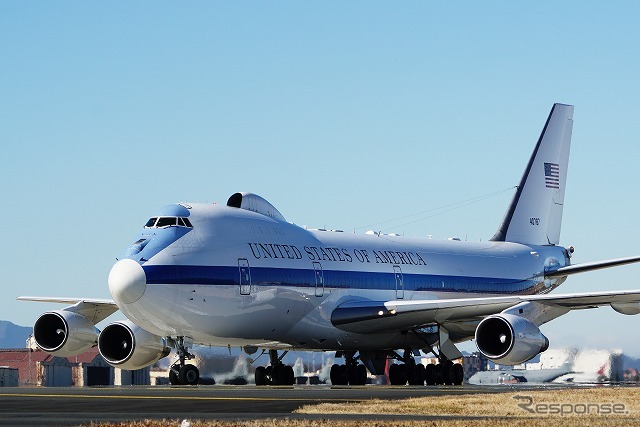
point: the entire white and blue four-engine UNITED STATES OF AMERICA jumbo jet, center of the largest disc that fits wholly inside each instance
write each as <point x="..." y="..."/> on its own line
<point x="241" y="275"/>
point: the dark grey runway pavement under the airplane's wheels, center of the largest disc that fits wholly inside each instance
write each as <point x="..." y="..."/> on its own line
<point x="74" y="406"/>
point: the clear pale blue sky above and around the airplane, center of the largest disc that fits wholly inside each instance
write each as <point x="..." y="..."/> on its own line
<point x="342" y="114"/>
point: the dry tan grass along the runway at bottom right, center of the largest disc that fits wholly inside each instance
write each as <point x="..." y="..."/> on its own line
<point x="608" y="406"/>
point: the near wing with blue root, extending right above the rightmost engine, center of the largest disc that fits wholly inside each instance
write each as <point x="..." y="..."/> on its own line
<point x="364" y="316"/>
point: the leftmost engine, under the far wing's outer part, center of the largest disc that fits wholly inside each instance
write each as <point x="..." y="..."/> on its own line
<point x="64" y="333"/>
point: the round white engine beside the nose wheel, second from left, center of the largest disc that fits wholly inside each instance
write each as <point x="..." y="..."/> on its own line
<point x="126" y="345"/>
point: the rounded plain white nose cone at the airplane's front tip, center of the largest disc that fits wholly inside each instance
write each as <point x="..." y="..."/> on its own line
<point x="127" y="281"/>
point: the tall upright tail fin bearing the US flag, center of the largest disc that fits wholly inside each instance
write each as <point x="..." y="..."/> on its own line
<point x="535" y="214"/>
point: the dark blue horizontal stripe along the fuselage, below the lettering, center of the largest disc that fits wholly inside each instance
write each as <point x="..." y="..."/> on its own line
<point x="261" y="276"/>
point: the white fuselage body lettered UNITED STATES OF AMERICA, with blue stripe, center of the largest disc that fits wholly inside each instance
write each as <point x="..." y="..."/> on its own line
<point x="239" y="278"/>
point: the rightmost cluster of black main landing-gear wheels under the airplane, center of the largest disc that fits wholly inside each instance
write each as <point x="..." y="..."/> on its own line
<point x="444" y="373"/>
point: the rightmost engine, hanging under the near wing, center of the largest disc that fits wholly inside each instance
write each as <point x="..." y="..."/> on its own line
<point x="509" y="340"/>
